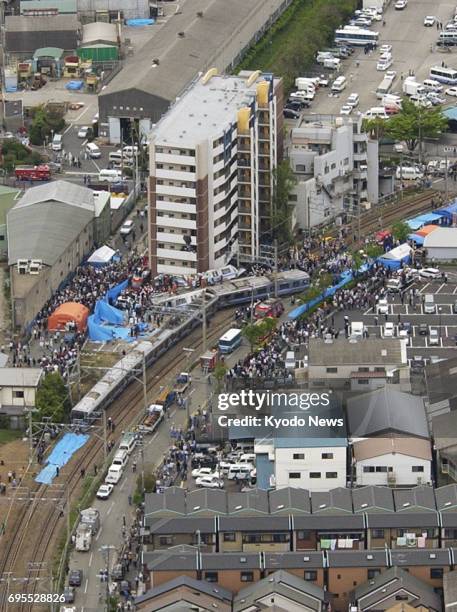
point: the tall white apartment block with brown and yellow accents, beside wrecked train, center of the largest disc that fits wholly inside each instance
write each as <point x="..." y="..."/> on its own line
<point x="211" y="158"/>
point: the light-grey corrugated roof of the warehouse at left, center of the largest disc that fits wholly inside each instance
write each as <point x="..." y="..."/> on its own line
<point x="46" y="220"/>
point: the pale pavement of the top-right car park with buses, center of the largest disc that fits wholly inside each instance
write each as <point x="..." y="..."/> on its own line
<point x="412" y="51"/>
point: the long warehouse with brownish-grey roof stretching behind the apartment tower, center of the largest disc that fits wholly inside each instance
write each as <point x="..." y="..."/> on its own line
<point x="201" y="35"/>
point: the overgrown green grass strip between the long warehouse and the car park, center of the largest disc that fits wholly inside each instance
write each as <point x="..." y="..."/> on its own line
<point x="289" y="47"/>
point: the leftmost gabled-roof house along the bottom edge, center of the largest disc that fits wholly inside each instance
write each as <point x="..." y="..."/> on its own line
<point x="184" y="593"/>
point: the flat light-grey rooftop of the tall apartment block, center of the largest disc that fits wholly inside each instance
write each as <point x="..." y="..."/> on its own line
<point x="207" y="108"/>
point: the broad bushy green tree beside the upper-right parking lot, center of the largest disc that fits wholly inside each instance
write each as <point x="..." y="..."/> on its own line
<point x="414" y="123"/>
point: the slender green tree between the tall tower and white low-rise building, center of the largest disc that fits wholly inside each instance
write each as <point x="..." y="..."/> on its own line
<point x="283" y="183"/>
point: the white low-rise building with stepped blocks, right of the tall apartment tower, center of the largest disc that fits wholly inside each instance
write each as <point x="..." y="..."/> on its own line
<point x="336" y="168"/>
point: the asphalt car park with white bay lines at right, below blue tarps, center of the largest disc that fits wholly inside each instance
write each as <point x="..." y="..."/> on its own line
<point x="408" y="312"/>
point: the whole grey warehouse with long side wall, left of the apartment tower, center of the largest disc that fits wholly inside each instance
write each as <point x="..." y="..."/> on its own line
<point x="50" y="231"/>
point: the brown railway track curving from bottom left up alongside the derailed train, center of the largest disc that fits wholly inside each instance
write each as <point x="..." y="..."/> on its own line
<point x="31" y="546"/>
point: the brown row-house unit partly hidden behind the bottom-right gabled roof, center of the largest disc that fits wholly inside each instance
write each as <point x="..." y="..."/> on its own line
<point x="428" y="565"/>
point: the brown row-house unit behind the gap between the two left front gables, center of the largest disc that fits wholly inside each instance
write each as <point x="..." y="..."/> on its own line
<point x="231" y="571"/>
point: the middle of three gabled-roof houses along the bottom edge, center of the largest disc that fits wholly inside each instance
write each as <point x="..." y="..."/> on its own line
<point x="281" y="591"/>
